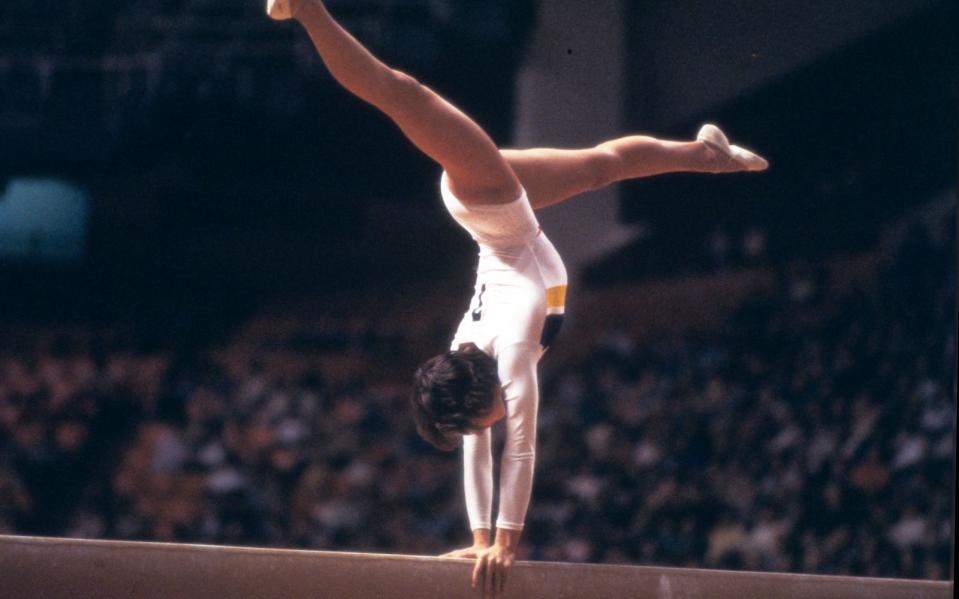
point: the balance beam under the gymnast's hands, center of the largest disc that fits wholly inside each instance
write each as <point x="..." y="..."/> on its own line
<point x="35" y="568"/>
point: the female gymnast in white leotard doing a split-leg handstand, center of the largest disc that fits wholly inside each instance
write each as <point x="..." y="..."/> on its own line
<point x="490" y="371"/>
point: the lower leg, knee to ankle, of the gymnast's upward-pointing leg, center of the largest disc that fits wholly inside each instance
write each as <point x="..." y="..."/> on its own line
<point x="350" y="63"/>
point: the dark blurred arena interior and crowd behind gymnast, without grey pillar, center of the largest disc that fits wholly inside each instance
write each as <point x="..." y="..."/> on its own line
<point x="762" y="378"/>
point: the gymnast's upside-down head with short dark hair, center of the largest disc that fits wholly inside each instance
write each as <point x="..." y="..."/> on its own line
<point x="450" y="391"/>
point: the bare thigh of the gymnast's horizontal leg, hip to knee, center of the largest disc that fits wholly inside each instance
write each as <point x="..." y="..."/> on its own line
<point x="552" y="175"/>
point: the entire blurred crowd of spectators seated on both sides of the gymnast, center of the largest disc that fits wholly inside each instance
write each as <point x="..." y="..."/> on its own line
<point x="813" y="434"/>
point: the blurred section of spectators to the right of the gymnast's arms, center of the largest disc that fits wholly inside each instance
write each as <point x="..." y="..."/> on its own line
<point x="815" y="434"/>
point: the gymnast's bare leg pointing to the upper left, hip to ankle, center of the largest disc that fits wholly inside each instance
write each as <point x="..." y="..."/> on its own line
<point x="477" y="172"/>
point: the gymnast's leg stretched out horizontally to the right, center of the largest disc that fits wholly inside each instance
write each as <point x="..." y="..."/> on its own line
<point x="551" y="175"/>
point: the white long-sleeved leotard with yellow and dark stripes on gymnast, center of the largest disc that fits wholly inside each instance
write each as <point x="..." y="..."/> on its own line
<point x="520" y="281"/>
